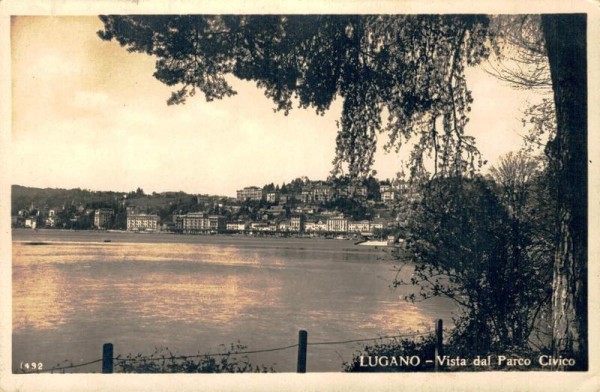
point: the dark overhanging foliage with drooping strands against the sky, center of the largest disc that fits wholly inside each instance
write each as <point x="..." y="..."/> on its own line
<point x="408" y="68"/>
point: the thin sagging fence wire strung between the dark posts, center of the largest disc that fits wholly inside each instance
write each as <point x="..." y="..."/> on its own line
<point x="185" y="357"/>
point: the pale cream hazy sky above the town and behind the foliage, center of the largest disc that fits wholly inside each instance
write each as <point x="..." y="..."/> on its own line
<point x="88" y="114"/>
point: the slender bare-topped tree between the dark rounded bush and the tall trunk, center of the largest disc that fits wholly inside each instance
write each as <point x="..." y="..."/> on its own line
<point x="523" y="190"/>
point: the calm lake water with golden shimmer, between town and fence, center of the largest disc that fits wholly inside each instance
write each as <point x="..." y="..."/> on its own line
<point x="192" y="293"/>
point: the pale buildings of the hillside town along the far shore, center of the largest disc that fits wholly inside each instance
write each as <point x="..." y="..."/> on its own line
<point x="303" y="207"/>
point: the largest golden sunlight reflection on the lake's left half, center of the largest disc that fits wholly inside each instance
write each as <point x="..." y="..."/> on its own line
<point x="45" y="293"/>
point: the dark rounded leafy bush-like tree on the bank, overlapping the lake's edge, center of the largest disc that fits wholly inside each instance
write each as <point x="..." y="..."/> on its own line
<point x="465" y="249"/>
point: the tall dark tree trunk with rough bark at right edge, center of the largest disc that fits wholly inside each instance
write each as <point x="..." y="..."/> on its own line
<point x="566" y="44"/>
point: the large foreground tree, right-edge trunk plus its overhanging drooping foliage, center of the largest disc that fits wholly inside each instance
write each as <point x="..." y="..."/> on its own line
<point x="409" y="67"/>
